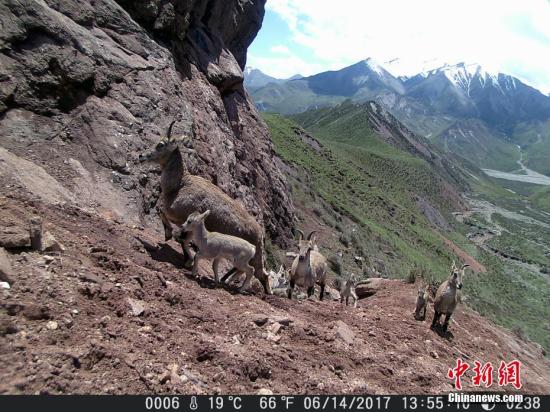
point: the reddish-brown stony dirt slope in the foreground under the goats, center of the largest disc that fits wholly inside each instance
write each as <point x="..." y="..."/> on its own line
<point x="100" y="346"/>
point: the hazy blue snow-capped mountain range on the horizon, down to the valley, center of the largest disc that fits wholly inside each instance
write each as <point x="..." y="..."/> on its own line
<point x="489" y="113"/>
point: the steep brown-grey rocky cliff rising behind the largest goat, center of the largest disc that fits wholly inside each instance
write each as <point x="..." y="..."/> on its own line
<point x="85" y="86"/>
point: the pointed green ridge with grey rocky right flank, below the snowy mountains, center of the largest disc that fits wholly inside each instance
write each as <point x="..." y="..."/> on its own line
<point x="370" y="135"/>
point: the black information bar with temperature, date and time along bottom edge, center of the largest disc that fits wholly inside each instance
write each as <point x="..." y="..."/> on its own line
<point x="268" y="403"/>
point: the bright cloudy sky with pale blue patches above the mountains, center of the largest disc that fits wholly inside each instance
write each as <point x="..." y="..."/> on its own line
<point x="310" y="36"/>
